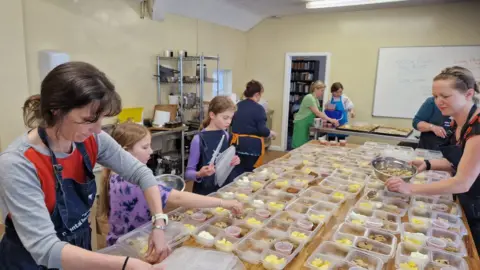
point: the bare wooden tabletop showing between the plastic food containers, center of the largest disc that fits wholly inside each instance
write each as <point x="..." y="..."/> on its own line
<point x="327" y="231"/>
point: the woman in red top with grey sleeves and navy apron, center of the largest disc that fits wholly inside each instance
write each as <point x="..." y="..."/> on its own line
<point x="47" y="186"/>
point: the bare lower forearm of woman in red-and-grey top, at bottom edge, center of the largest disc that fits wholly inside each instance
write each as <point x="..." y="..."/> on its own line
<point x="74" y="258"/>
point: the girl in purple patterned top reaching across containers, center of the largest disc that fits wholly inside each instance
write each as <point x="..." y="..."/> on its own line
<point x="123" y="202"/>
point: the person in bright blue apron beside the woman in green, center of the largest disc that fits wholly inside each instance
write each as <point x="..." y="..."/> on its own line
<point x="342" y="108"/>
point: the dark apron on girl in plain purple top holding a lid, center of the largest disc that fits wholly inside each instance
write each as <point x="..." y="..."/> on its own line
<point x="208" y="143"/>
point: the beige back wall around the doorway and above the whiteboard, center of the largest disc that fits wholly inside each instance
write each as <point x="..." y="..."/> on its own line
<point x="353" y="39"/>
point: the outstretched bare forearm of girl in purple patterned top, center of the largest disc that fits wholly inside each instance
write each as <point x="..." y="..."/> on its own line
<point x="191" y="200"/>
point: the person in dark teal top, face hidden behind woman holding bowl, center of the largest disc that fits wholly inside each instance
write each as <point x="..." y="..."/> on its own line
<point x="432" y="124"/>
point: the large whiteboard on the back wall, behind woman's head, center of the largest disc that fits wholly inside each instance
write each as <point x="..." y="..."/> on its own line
<point x="405" y="75"/>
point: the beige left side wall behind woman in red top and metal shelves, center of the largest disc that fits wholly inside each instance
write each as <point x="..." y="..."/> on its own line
<point x="108" y="34"/>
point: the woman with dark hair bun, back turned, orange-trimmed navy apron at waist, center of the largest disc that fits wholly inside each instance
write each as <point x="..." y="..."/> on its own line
<point x="249" y="128"/>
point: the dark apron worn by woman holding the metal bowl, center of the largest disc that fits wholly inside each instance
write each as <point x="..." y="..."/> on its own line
<point x="470" y="201"/>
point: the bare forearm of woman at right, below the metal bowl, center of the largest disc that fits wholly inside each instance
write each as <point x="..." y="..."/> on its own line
<point x="447" y="186"/>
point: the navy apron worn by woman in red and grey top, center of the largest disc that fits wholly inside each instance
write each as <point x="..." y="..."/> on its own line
<point x="70" y="215"/>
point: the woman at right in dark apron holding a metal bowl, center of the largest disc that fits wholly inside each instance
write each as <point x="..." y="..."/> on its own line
<point x="454" y="90"/>
